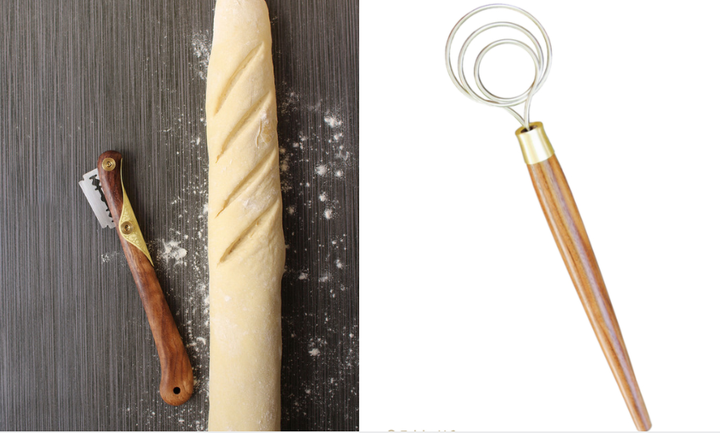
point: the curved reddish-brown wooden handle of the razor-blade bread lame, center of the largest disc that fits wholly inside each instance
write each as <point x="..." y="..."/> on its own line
<point x="176" y="385"/>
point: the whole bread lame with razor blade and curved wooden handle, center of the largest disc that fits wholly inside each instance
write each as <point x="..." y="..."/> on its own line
<point x="105" y="191"/>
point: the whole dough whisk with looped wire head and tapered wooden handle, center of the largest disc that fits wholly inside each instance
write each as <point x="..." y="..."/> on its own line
<point x="553" y="193"/>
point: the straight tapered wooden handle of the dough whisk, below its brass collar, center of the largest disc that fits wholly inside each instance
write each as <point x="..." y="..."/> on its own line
<point x="572" y="240"/>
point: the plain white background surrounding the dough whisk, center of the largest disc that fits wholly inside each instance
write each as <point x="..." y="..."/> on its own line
<point x="469" y="320"/>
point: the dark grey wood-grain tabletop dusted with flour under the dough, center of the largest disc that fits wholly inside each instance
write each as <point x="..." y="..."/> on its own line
<point x="78" y="78"/>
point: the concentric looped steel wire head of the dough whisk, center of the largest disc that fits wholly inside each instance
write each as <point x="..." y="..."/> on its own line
<point x="542" y="59"/>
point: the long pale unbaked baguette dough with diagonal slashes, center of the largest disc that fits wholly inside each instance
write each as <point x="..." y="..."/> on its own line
<point x="246" y="249"/>
